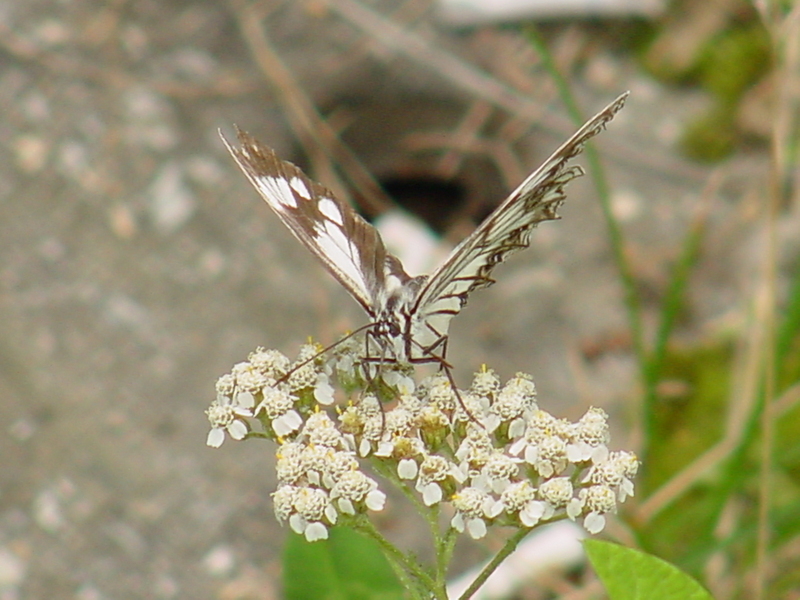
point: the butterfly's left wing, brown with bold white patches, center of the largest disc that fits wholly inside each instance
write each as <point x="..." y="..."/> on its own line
<point x="349" y="247"/>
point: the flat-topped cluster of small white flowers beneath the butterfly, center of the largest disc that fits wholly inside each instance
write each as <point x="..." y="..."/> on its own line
<point x="489" y="451"/>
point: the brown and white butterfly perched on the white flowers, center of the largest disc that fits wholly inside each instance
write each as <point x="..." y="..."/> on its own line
<point x="409" y="316"/>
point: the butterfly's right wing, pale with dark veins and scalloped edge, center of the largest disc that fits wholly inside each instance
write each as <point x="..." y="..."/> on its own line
<point x="504" y="232"/>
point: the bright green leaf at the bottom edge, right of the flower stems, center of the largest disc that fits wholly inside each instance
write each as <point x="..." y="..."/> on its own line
<point x="629" y="574"/>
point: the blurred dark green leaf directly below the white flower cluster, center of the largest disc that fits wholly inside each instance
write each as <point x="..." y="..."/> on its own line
<point x="345" y="566"/>
